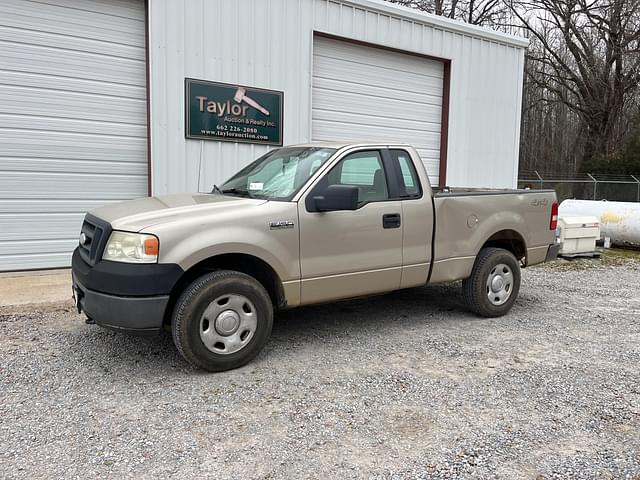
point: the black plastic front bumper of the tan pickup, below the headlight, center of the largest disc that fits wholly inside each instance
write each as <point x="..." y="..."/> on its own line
<point x="131" y="298"/>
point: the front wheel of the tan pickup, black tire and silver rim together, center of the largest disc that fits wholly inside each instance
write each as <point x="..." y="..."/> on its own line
<point x="222" y="320"/>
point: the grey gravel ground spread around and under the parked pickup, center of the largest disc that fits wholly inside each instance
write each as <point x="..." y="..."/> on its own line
<point x="406" y="385"/>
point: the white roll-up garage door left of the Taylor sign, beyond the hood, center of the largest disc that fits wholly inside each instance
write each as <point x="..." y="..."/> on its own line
<point x="73" y="121"/>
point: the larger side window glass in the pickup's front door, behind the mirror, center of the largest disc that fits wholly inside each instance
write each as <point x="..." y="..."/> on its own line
<point x="364" y="170"/>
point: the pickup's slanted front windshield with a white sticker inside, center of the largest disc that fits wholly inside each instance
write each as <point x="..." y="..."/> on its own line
<point x="279" y="174"/>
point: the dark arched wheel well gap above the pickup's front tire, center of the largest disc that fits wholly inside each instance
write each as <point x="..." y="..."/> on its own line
<point x="239" y="262"/>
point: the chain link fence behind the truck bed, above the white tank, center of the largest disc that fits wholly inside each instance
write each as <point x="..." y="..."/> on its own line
<point x="584" y="186"/>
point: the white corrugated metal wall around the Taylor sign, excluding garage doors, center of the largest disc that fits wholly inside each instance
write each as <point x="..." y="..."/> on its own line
<point x="268" y="44"/>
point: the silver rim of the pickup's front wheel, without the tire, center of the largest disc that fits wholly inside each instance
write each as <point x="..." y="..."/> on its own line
<point x="228" y="324"/>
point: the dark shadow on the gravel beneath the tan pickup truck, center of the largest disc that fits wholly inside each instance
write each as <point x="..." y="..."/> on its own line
<point x="138" y="355"/>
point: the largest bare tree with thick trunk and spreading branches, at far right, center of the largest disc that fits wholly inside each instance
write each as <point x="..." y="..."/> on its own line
<point x="585" y="55"/>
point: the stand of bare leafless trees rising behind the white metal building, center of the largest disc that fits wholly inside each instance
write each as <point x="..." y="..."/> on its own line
<point x="581" y="101"/>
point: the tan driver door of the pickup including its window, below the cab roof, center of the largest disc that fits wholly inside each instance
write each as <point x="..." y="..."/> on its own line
<point x="349" y="253"/>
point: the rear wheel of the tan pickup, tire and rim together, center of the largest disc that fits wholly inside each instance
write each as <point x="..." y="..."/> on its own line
<point x="493" y="286"/>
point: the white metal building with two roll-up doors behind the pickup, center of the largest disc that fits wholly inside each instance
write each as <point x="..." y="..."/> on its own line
<point x="92" y="98"/>
